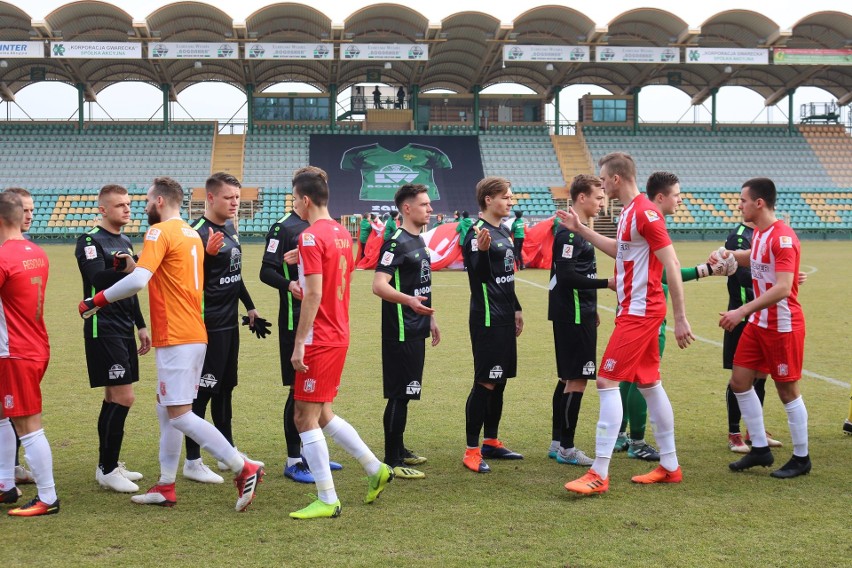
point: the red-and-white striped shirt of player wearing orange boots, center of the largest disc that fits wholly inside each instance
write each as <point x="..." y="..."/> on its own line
<point x="638" y="272"/>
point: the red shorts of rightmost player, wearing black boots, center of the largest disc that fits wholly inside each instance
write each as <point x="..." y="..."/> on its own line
<point x="772" y="352"/>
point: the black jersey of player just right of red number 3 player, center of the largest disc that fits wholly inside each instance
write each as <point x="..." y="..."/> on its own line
<point x="406" y="259"/>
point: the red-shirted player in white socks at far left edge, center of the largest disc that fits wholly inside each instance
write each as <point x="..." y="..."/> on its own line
<point x="24" y="355"/>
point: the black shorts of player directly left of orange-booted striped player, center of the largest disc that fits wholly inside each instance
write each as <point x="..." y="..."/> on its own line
<point x="576" y="349"/>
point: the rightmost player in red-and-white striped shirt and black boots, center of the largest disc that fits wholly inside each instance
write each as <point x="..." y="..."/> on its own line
<point x="773" y="340"/>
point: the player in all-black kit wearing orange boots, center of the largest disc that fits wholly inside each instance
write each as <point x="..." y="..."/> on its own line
<point x="495" y="321"/>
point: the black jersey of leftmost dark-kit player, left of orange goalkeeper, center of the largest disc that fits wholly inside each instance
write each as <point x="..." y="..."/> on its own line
<point x="95" y="251"/>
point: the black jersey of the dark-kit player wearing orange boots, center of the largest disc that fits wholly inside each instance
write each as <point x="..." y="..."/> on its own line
<point x="491" y="275"/>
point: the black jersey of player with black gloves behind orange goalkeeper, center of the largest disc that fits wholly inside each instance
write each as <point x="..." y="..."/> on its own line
<point x="223" y="279"/>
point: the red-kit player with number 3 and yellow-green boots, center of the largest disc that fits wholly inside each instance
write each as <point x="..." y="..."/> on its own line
<point x="322" y="338"/>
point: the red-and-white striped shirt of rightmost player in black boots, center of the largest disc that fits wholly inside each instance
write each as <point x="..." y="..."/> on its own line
<point x="772" y="251"/>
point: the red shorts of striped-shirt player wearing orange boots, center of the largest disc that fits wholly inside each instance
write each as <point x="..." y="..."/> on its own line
<point x="633" y="352"/>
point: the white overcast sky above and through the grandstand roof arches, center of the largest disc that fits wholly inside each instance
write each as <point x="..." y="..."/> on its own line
<point x="735" y="104"/>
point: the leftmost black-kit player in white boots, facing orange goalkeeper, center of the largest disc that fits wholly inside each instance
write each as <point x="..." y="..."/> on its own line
<point x="105" y="256"/>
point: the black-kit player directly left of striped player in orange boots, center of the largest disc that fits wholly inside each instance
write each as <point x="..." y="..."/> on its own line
<point x="573" y="309"/>
